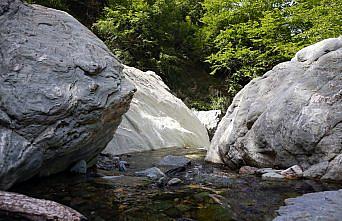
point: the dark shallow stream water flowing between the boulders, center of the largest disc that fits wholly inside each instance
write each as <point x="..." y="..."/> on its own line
<point x="208" y="192"/>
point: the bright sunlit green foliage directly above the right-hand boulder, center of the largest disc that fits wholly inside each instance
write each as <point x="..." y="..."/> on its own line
<point x="245" y="38"/>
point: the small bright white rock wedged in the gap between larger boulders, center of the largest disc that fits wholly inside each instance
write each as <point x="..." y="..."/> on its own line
<point x="210" y="119"/>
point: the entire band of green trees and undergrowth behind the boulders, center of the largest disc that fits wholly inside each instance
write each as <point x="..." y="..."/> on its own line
<point x="234" y="40"/>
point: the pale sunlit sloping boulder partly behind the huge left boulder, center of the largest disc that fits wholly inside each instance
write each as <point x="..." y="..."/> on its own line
<point x="156" y="119"/>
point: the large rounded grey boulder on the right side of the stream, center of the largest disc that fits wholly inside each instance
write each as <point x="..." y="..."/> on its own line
<point x="290" y="116"/>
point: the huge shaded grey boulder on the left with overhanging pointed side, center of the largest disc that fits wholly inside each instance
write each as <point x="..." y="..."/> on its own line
<point x="62" y="93"/>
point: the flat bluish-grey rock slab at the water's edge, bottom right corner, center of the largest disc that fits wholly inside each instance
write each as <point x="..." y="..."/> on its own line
<point x="312" y="206"/>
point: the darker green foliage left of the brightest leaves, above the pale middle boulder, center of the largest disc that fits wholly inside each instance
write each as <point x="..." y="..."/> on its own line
<point x="151" y="34"/>
